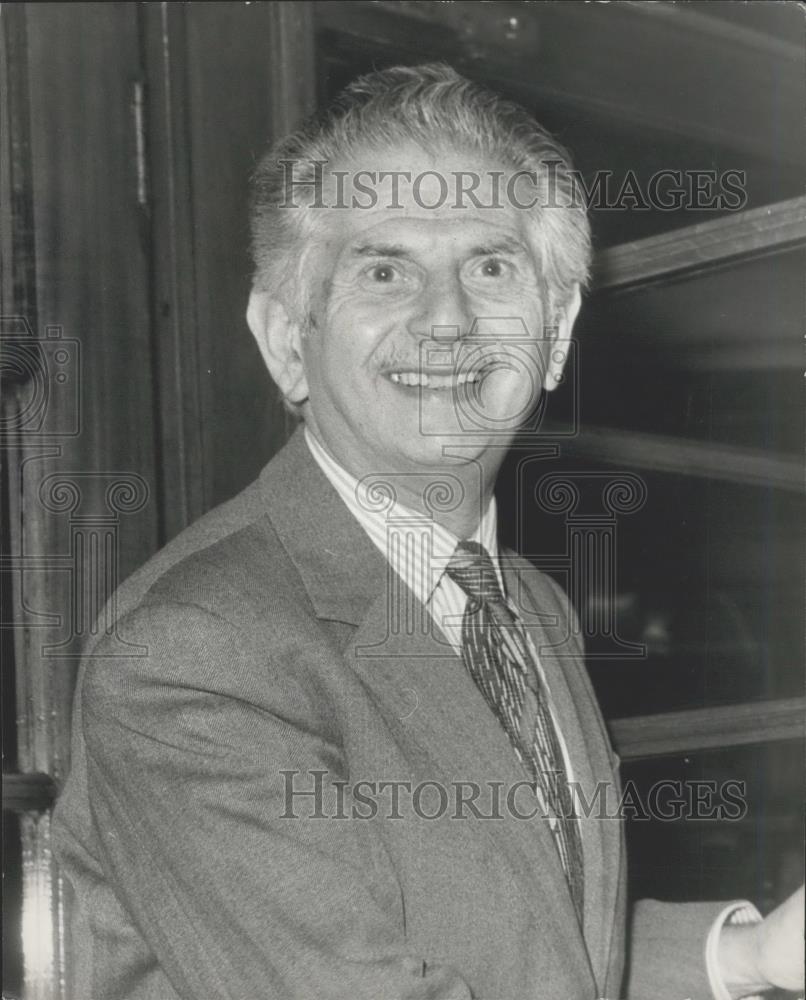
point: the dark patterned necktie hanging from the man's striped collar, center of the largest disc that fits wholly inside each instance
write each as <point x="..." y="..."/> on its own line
<point x="499" y="660"/>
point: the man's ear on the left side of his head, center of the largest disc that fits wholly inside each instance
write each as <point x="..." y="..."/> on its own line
<point x="279" y="340"/>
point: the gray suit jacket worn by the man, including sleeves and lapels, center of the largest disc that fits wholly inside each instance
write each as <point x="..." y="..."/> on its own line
<point x="264" y="649"/>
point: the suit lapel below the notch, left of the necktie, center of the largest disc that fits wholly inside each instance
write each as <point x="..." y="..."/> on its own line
<point x="448" y="719"/>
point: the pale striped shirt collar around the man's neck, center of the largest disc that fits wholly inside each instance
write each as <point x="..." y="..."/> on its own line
<point x="416" y="546"/>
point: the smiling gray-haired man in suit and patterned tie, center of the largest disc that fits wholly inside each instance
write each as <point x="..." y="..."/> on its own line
<point x="340" y="759"/>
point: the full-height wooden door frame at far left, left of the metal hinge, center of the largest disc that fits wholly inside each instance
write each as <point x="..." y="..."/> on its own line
<point x="79" y="431"/>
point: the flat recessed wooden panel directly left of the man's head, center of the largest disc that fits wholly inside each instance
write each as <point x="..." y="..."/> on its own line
<point x="229" y="84"/>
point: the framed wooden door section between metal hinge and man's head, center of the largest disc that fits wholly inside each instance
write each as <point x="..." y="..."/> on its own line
<point x="218" y="87"/>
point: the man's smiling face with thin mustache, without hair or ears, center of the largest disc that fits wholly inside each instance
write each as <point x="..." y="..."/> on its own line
<point x="427" y="325"/>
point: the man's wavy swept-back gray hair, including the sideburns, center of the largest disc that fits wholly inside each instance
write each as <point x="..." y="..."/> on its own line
<point x="435" y="108"/>
